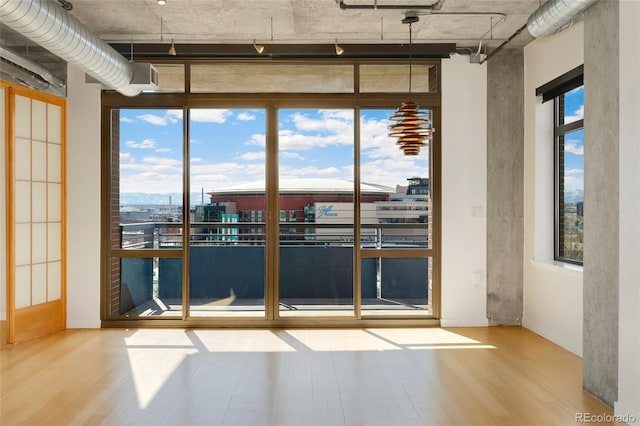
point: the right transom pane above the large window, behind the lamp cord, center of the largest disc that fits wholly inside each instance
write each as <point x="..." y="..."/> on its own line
<point x="394" y="78"/>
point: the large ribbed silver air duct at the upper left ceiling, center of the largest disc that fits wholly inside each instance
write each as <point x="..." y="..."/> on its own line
<point x="47" y="24"/>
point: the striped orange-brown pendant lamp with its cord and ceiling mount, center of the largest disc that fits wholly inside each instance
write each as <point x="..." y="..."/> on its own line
<point x="412" y="127"/>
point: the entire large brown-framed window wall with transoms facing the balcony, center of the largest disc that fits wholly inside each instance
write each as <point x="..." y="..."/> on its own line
<point x="266" y="194"/>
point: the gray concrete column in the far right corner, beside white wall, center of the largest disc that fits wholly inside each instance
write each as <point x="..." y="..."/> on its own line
<point x="505" y="186"/>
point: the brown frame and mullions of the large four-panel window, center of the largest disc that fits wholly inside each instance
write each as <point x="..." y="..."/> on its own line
<point x="273" y="102"/>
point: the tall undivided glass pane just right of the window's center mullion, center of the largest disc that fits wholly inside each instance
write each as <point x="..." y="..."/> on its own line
<point x="316" y="188"/>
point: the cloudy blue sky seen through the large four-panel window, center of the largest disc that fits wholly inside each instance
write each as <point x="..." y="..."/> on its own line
<point x="227" y="148"/>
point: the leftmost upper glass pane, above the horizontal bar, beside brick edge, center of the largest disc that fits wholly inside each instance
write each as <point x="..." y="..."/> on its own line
<point x="146" y="179"/>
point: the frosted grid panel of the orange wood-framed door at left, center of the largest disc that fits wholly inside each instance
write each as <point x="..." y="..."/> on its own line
<point x="37" y="195"/>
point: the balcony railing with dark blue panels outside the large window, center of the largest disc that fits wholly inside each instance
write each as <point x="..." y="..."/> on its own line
<point x="316" y="263"/>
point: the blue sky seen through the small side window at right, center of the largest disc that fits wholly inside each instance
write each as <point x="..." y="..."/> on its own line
<point x="574" y="142"/>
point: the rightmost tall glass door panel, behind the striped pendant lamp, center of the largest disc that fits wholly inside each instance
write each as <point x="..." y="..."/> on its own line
<point x="397" y="232"/>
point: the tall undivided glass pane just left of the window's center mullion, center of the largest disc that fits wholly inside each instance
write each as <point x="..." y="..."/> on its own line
<point x="227" y="246"/>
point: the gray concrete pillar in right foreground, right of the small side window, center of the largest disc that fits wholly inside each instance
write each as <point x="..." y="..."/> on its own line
<point x="601" y="242"/>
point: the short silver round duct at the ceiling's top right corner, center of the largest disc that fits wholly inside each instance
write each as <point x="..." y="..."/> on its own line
<point x="555" y="15"/>
